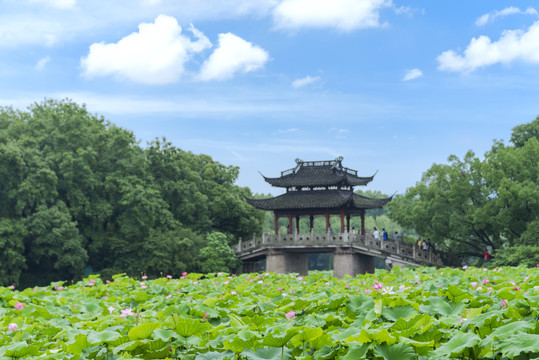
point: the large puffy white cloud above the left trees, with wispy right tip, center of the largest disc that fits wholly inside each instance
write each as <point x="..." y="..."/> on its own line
<point x="156" y="54"/>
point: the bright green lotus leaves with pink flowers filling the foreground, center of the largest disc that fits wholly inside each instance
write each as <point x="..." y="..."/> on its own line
<point x="403" y="314"/>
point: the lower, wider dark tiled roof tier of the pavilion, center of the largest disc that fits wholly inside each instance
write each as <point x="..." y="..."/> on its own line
<point x="325" y="199"/>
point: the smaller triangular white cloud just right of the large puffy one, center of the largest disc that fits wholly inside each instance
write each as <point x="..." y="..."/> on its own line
<point x="233" y="55"/>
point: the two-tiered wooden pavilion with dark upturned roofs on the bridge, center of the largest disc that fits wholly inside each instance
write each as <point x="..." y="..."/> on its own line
<point x="319" y="188"/>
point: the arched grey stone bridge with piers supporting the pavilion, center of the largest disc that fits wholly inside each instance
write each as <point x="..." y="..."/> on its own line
<point x="352" y="253"/>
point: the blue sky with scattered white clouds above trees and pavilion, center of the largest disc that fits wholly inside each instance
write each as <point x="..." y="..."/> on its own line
<point x="393" y="86"/>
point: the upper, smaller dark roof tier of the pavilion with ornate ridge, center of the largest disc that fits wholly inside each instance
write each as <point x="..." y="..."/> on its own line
<point x="318" y="173"/>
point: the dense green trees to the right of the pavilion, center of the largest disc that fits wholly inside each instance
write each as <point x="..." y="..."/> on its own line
<point x="470" y="204"/>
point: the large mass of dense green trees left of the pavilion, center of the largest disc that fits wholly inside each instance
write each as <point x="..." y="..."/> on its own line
<point x="78" y="192"/>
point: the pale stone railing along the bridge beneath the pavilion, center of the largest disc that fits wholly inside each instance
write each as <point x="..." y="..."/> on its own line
<point x="389" y="247"/>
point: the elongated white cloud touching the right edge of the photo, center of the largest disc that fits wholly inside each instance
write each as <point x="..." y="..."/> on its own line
<point x="513" y="45"/>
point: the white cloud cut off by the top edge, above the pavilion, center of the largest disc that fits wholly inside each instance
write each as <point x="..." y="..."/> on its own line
<point x="344" y="15"/>
